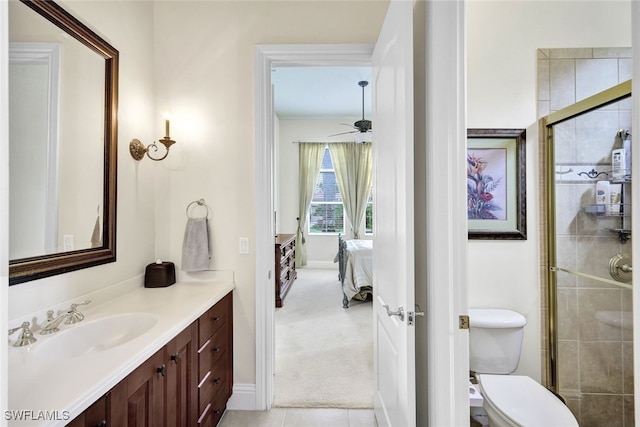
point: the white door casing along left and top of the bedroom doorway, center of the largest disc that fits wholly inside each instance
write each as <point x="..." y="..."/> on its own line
<point x="268" y="58"/>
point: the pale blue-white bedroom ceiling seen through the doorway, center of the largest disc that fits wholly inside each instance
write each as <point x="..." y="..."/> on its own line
<point x="321" y="92"/>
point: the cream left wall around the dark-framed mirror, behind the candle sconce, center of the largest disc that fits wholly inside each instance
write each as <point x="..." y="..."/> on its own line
<point x="126" y="25"/>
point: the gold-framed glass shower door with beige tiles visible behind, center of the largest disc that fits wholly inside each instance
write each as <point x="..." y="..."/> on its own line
<point x="589" y="224"/>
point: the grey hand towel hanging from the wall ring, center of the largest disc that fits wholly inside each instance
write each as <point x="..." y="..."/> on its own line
<point x="196" y="251"/>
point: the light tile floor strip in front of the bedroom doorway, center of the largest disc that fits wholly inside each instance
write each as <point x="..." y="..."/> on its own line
<point x="300" y="417"/>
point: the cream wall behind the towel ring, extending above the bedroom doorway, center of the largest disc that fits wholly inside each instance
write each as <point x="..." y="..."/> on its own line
<point x="205" y="76"/>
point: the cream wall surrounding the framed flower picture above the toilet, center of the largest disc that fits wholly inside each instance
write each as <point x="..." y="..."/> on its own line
<point x="502" y="39"/>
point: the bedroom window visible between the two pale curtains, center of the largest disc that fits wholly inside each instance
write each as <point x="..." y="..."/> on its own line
<point x="326" y="213"/>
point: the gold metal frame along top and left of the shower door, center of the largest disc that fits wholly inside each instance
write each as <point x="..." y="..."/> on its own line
<point x="549" y="261"/>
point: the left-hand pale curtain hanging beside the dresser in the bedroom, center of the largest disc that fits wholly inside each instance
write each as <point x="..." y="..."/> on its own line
<point x="310" y="160"/>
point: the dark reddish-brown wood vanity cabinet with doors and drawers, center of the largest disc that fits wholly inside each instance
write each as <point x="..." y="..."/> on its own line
<point x="186" y="383"/>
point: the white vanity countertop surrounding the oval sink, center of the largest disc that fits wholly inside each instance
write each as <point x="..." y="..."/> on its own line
<point x="65" y="388"/>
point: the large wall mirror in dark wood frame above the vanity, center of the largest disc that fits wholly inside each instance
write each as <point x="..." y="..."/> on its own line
<point x="63" y="93"/>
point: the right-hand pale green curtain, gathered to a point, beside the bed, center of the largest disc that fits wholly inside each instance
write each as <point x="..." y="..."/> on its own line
<point x="353" y="163"/>
